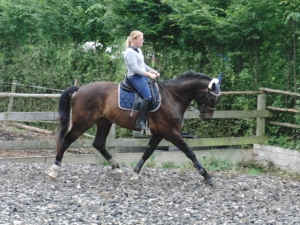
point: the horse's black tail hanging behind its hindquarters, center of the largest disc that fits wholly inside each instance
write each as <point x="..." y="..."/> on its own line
<point x="64" y="109"/>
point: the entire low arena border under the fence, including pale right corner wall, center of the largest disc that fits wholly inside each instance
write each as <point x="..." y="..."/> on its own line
<point x="285" y="159"/>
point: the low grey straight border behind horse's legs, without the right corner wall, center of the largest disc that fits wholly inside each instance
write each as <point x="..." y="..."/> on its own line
<point x="159" y="157"/>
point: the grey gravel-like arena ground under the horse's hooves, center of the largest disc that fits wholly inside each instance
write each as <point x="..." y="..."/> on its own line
<point x="90" y="194"/>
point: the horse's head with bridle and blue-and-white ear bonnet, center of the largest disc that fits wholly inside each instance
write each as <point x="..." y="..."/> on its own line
<point x="208" y="99"/>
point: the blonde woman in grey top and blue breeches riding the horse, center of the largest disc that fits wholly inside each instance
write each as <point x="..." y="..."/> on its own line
<point x="138" y="73"/>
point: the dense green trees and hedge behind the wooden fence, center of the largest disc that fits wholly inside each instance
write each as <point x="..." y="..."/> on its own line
<point x="253" y="43"/>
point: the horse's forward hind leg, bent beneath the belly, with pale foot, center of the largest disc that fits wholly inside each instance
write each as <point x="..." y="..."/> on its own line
<point x="103" y="127"/>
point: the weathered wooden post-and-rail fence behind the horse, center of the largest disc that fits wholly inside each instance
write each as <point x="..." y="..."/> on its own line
<point x="261" y="113"/>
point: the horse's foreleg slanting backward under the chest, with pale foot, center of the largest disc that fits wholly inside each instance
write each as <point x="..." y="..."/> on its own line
<point x="154" y="141"/>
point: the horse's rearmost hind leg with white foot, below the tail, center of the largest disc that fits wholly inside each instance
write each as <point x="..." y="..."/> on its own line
<point x="71" y="136"/>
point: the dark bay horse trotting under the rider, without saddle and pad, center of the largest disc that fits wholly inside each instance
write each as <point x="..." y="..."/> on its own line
<point x="97" y="103"/>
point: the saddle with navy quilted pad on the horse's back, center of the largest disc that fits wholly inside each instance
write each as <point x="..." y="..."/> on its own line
<point x="129" y="99"/>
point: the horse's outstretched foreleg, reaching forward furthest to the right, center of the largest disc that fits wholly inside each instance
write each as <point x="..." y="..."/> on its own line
<point x="180" y="143"/>
